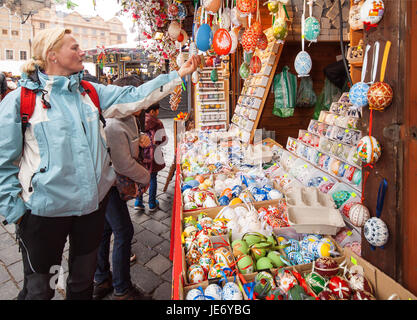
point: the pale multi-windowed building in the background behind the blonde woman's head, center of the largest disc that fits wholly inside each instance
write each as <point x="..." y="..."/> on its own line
<point x="16" y="37"/>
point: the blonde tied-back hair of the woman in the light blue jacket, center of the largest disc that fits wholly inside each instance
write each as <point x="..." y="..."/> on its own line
<point x="44" y="41"/>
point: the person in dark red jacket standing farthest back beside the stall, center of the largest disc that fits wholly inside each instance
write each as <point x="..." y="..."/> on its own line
<point x="153" y="158"/>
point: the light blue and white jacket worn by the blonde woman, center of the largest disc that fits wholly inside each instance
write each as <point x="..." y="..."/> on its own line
<point x="65" y="169"/>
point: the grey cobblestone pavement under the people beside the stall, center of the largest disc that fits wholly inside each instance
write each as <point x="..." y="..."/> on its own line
<point x="151" y="243"/>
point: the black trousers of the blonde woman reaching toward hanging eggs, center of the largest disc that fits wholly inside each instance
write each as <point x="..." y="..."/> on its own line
<point x="42" y="241"/>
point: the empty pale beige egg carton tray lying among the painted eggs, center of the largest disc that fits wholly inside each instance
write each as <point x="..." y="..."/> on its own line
<point x="311" y="211"/>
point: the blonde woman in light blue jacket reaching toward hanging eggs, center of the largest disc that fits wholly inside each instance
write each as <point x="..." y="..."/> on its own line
<point x="55" y="177"/>
